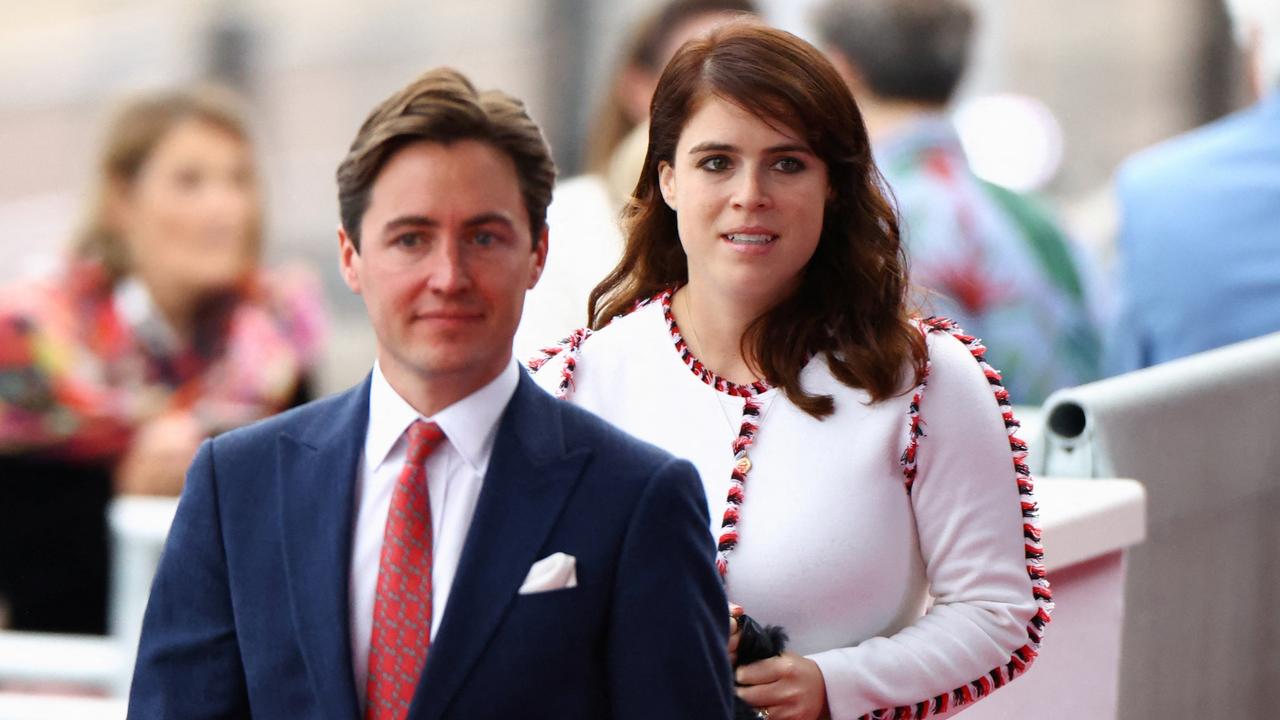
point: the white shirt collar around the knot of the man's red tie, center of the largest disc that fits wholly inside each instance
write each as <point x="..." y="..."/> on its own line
<point x="470" y="425"/>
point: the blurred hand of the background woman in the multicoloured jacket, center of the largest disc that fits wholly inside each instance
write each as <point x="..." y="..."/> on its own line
<point x="159" y="455"/>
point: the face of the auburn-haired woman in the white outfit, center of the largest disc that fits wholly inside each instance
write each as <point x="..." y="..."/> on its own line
<point x="749" y="200"/>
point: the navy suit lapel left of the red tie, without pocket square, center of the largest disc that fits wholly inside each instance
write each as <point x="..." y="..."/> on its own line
<point x="317" y="477"/>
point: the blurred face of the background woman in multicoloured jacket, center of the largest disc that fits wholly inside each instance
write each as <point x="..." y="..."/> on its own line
<point x="189" y="217"/>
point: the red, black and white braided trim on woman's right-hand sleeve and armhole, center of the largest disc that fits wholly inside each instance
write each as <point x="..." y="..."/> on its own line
<point x="1035" y="552"/>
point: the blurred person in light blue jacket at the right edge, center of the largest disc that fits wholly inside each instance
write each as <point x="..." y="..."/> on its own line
<point x="1200" y="222"/>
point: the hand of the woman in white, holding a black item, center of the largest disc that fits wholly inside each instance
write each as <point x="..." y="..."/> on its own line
<point x="790" y="687"/>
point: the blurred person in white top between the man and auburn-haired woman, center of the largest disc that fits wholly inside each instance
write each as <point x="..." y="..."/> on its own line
<point x="586" y="238"/>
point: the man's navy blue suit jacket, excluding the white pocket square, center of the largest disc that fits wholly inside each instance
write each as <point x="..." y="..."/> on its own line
<point x="249" y="614"/>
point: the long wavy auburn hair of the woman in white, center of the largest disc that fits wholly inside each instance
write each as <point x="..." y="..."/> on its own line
<point x="852" y="303"/>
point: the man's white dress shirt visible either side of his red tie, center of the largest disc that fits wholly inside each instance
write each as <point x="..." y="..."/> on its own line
<point x="455" y="473"/>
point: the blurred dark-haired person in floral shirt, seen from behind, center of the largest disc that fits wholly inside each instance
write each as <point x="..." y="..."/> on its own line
<point x="989" y="258"/>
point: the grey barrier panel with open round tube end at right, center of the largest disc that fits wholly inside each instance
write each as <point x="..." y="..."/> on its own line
<point x="1204" y="436"/>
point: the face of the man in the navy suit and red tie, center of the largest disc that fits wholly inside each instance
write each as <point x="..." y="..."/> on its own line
<point x="446" y="257"/>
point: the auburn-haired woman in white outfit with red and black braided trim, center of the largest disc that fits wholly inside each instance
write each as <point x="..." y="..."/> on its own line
<point x="866" y="486"/>
